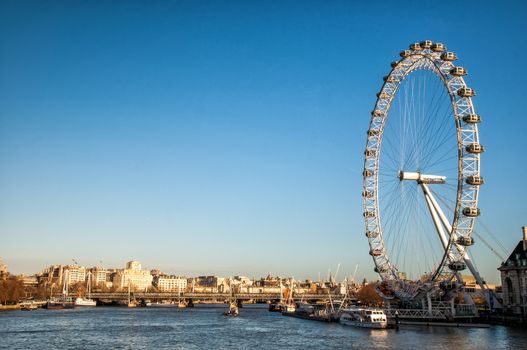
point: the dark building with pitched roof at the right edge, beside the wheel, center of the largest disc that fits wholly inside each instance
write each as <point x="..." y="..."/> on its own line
<point x="514" y="279"/>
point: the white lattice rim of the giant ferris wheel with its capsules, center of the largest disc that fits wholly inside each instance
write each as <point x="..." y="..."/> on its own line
<point x="439" y="62"/>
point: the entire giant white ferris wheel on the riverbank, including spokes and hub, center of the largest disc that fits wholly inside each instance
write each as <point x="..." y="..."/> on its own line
<point x="422" y="174"/>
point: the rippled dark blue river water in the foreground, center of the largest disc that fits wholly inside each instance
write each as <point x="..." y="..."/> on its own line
<point x="204" y="327"/>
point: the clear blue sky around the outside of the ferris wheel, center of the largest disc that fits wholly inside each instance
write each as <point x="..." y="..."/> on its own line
<point x="226" y="137"/>
